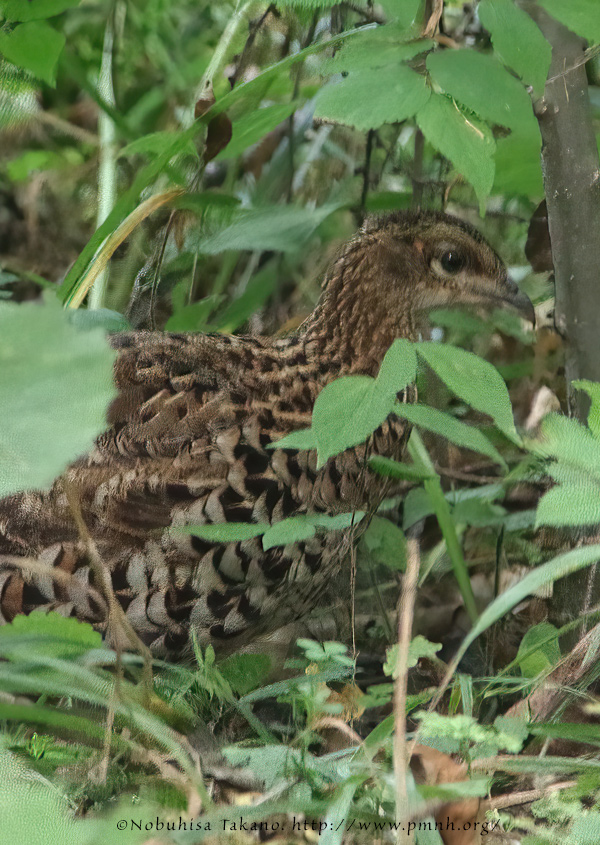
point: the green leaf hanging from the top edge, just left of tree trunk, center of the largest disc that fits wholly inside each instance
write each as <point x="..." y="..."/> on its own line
<point x="517" y="40"/>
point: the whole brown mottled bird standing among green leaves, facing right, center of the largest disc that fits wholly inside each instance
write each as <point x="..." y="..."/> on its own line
<point x="187" y="446"/>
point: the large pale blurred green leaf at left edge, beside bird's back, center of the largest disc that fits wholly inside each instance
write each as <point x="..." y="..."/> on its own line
<point x="55" y="386"/>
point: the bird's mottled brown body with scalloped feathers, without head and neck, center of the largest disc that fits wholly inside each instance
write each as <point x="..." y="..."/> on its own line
<point x="187" y="446"/>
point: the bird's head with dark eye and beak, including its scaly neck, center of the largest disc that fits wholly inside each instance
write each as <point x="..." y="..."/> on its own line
<point x="400" y="267"/>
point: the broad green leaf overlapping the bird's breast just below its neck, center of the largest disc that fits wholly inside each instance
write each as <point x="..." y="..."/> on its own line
<point x="346" y="412"/>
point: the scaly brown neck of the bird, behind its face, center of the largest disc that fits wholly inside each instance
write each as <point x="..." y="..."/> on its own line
<point x="353" y="326"/>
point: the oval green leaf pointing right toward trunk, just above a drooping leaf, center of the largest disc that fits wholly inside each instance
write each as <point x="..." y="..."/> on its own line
<point x="497" y="96"/>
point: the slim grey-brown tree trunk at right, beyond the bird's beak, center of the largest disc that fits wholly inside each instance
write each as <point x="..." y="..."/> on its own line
<point x="572" y="186"/>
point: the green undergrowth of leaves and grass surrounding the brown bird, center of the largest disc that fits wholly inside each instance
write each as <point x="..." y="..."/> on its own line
<point x="191" y="167"/>
